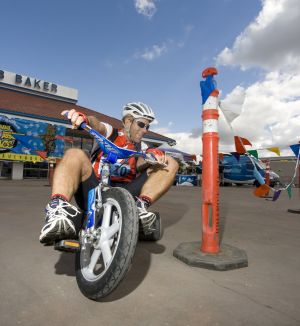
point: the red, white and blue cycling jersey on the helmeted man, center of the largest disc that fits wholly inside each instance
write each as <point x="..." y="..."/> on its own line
<point x="124" y="170"/>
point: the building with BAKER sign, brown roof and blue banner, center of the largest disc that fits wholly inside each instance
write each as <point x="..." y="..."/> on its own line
<point x="34" y="135"/>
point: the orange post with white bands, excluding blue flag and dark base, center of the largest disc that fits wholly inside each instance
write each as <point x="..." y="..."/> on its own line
<point x="210" y="171"/>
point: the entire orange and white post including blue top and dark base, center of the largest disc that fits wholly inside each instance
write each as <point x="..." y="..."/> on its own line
<point x="210" y="256"/>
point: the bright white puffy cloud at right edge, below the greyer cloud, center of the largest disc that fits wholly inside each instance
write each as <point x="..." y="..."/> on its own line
<point x="271" y="112"/>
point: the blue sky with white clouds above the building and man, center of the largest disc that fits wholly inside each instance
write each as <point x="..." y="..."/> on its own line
<point x="154" y="51"/>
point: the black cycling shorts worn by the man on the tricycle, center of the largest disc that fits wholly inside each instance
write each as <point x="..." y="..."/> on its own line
<point x="134" y="187"/>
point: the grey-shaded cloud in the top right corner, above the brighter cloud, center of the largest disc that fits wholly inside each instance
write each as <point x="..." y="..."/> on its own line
<point x="271" y="41"/>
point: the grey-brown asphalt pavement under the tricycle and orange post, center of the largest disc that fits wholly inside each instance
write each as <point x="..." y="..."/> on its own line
<point x="38" y="284"/>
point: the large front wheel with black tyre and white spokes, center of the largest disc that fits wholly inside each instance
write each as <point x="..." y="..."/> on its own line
<point x="102" y="264"/>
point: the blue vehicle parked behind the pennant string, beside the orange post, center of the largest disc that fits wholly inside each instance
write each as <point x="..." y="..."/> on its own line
<point x="242" y="171"/>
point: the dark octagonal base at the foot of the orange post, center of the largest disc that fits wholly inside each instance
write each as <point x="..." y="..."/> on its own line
<point x="228" y="258"/>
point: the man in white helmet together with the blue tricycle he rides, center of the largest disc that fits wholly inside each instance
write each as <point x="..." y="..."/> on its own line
<point x="114" y="187"/>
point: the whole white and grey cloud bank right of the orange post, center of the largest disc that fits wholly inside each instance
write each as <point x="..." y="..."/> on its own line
<point x="271" y="111"/>
